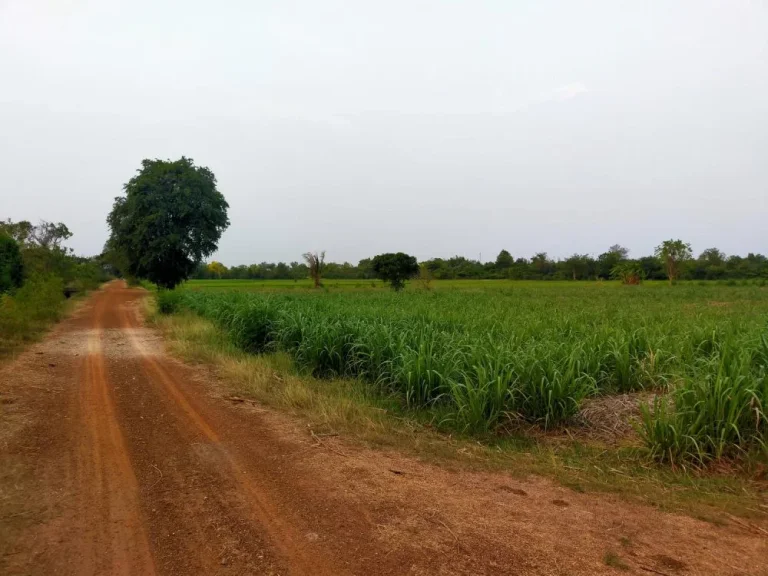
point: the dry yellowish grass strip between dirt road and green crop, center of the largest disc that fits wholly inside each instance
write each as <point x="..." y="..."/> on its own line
<point x="364" y="415"/>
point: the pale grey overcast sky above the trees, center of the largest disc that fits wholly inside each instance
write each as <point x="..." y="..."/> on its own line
<point x="432" y="127"/>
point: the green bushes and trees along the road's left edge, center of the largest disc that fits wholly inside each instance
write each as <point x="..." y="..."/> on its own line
<point x="37" y="276"/>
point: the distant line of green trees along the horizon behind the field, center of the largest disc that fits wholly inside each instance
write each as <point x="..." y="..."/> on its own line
<point x="673" y="259"/>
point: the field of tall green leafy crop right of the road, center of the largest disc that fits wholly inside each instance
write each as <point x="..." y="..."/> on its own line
<point x="476" y="354"/>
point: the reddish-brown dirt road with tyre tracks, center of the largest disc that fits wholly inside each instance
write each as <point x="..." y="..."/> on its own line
<point x="116" y="459"/>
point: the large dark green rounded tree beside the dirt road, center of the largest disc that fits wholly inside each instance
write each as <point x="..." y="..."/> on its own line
<point x="170" y="218"/>
